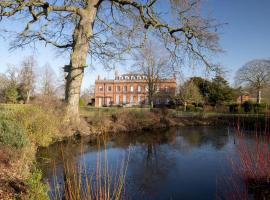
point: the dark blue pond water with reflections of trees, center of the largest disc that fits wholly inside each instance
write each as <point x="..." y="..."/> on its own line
<point x="183" y="163"/>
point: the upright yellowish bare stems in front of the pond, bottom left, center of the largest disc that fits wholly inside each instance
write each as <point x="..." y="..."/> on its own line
<point x="101" y="184"/>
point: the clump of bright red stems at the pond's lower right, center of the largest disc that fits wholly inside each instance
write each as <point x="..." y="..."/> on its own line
<point x="251" y="168"/>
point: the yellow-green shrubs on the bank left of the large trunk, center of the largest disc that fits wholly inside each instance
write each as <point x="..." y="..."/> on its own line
<point x="41" y="125"/>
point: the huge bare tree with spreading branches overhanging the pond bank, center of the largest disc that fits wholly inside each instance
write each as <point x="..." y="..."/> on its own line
<point x="96" y="27"/>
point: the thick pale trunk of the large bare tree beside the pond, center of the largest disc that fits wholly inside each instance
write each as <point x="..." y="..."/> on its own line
<point x="81" y="36"/>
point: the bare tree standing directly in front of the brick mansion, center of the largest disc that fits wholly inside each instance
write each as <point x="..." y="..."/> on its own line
<point x="154" y="62"/>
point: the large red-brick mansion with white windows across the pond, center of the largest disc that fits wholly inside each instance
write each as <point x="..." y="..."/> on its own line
<point x="131" y="89"/>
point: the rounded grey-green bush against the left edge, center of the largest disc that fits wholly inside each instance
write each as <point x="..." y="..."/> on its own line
<point x="12" y="134"/>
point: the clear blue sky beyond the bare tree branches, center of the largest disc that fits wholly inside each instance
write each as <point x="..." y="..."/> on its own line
<point x="246" y="36"/>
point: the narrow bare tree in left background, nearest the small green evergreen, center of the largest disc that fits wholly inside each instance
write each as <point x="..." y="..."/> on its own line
<point x="27" y="78"/>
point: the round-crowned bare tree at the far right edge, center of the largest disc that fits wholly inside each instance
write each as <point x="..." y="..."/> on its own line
<point x="255" y="74"/>
